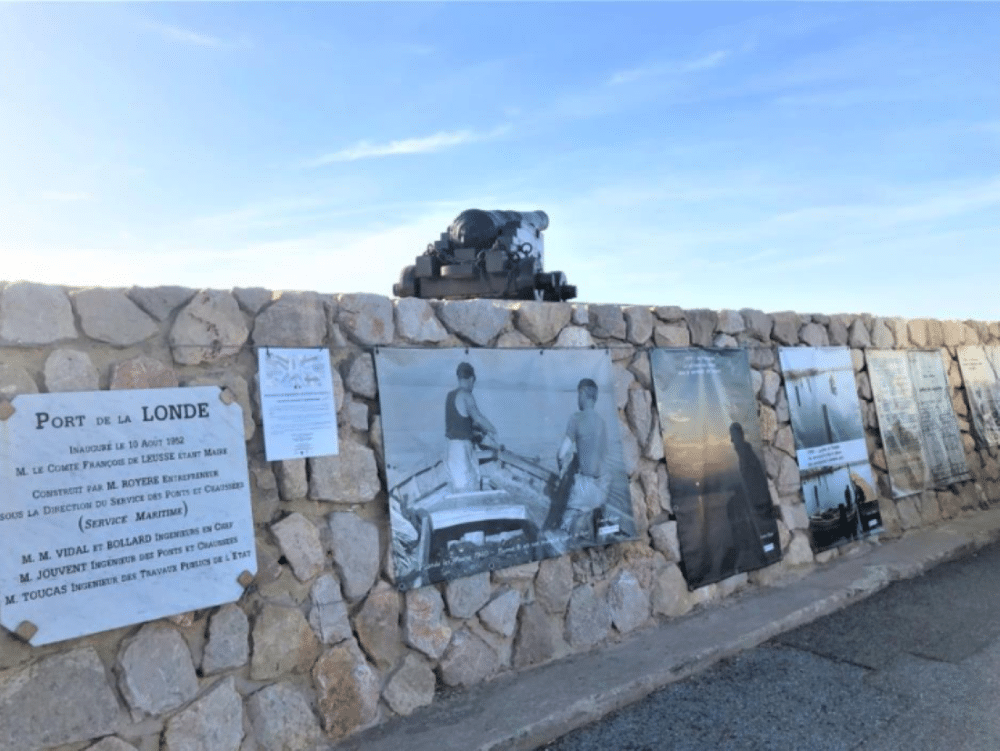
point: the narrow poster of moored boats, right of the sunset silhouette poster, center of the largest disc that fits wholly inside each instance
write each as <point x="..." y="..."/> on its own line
<point x="837" y="481"/>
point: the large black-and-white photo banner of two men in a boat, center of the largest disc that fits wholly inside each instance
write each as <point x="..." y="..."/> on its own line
<point x="496" y="458"/>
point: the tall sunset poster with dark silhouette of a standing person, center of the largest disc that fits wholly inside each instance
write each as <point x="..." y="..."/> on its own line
<point x="718" y="485"/>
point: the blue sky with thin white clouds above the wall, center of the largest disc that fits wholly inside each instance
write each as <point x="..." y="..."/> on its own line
<point x="820" y="157"/>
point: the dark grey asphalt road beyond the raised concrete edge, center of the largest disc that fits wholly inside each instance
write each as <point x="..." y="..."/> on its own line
<point x="915" y="667"/>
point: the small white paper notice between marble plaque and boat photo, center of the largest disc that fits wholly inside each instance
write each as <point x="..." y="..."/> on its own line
<point x="296" y="396"/>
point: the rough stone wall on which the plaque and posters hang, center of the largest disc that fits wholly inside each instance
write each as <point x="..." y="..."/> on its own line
<point x="322" y="644"/>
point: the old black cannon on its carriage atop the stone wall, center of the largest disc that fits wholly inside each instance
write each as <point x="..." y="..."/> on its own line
<point x="494" y="254"/>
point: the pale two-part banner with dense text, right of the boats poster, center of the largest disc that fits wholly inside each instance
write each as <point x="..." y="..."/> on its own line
<point x="920" y="435"/>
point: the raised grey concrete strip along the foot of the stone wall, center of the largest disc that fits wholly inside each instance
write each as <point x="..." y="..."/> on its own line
<point x="527" y="709"/>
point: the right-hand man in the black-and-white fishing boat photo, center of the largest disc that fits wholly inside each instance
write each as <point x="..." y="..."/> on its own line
<point x="587" y="436"/>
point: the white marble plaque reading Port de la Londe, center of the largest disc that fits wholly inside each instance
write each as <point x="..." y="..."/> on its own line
<point x="120" y="507"/>
